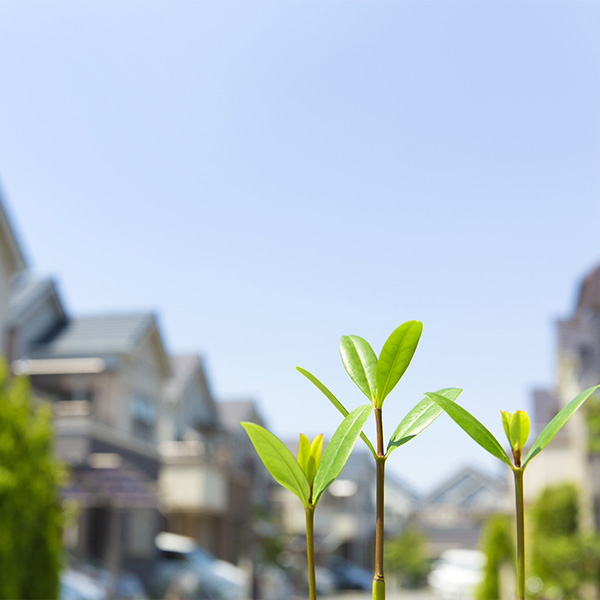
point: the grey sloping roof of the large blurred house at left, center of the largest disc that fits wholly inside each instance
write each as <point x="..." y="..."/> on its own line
<point x="97" y="336"/>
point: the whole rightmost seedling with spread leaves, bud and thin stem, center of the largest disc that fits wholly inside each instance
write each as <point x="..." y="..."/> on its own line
<point x="516" y="427"/>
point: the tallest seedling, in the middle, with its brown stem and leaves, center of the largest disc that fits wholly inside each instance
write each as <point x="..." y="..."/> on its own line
<point x="376" y="378"/>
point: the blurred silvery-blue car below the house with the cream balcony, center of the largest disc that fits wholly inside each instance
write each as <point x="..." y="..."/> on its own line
<point x="184" y="570"/>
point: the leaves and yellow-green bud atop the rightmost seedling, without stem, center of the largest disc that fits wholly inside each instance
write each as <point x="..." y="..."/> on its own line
<point x="516" y="426"/>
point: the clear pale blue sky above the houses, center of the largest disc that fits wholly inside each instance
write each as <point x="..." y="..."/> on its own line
<point x="269" y="176"/>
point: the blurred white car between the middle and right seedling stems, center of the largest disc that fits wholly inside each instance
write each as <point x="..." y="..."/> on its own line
<point x="457" y="573"/>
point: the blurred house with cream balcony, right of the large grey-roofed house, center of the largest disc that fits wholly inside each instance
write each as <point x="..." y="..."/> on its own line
<point x="208" y="480"/>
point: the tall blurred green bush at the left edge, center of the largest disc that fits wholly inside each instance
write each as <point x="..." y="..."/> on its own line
<point x="30" y="515"/>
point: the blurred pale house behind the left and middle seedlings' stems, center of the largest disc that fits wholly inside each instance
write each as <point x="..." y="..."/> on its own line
<point x="346" y="514"/>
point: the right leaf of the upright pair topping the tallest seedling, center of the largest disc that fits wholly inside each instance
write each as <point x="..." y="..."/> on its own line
<point x="395" y="357"/>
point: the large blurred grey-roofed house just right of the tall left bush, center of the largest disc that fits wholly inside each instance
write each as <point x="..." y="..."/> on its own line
<point x="104" y="376"/>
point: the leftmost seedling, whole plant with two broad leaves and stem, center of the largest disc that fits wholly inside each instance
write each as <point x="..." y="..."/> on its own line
<point x="312" y="473"/>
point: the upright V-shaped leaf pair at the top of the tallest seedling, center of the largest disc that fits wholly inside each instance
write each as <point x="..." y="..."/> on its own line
<point x="376" y="378"/>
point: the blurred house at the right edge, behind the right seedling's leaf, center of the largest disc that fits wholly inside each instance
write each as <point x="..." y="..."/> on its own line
<point x="572" y="456"/>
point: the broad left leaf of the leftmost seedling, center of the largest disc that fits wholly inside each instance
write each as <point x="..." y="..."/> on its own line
<point x="280" y="462"/>
